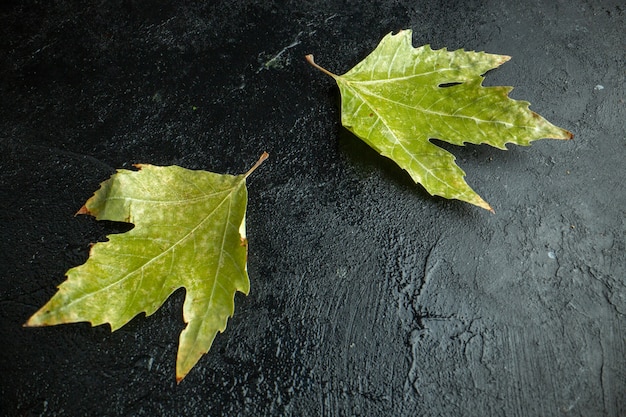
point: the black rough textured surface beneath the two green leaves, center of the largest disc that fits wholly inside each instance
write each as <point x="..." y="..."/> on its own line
<point x="369" y="297"/>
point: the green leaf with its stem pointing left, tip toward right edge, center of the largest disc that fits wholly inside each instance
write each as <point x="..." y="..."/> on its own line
<point x="399" y="97"/>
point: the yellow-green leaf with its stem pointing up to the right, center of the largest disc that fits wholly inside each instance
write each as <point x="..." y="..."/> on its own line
<point x="189" y="232"/>
